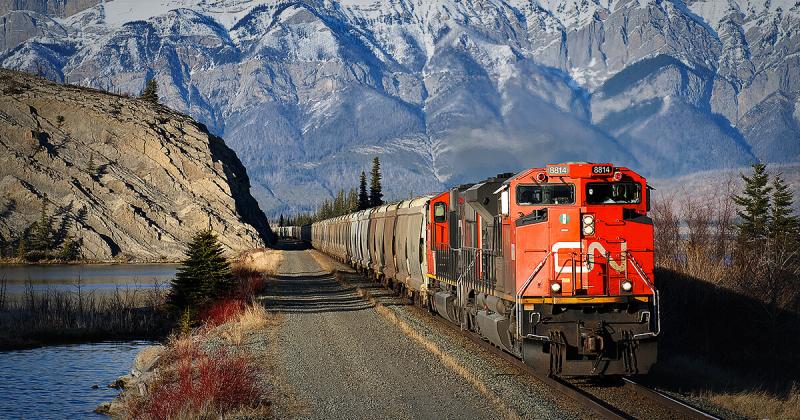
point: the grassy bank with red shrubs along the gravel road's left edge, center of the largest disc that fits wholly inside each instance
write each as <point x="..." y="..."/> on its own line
<point x="222" y="365"/>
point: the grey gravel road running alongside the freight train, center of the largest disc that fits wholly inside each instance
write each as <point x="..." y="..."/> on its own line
<point x="343" y="360"/>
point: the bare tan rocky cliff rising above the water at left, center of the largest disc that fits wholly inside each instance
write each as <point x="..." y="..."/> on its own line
<point x="137" y="178"/>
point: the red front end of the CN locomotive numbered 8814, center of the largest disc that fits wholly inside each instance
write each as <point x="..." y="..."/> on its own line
<point x="582" y="249"/>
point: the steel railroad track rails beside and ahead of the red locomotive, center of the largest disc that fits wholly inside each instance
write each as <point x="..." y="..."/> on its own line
<point x="579" y="395"/>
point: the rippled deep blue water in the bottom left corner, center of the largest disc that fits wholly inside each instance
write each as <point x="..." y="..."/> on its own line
<point x="56" y="381"/>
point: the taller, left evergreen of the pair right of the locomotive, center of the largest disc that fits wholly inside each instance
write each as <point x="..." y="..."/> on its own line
<point x="754" y="206"/>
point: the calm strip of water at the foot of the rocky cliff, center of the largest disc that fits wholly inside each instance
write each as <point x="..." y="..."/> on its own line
<point x="90" y="277"/>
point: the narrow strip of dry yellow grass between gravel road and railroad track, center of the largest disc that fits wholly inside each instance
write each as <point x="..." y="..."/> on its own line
<point x="449" y="361"/>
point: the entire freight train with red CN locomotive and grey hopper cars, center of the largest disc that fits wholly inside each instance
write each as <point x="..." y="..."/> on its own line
<point x="553" y="264"/>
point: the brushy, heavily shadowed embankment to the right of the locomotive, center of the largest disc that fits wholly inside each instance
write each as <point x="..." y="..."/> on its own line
<point x="731" y="327"/>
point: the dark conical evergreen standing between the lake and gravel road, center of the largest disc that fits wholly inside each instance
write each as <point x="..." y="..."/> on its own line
<point x="203" y="275"/>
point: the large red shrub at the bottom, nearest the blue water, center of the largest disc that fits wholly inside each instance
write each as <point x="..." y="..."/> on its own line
<point x="215" y="383"/>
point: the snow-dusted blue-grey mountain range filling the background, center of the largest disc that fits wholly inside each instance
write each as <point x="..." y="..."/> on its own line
<point x="445" y="91"/>
